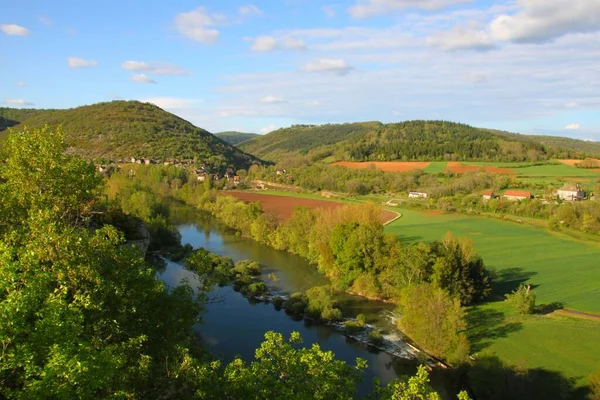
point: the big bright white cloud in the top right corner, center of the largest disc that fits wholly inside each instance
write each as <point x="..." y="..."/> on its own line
<point x="543" y="20"/>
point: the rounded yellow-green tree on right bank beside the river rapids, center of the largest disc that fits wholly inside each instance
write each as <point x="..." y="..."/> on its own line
<point x="434" y="319"/>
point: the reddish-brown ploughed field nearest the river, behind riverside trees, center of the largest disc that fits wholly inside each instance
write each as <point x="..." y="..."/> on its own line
<point x="283" y="206"/>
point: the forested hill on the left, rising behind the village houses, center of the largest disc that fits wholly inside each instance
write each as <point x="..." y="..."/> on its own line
<point x="124" y="129"/>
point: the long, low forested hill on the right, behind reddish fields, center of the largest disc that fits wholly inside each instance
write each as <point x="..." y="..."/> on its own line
<point x="411" y="140"/>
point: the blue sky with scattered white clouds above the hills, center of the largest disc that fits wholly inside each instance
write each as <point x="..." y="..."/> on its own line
<point x="527" y="66"/>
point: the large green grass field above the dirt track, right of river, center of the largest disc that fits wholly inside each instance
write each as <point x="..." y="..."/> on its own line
<point x="560" y="269"/>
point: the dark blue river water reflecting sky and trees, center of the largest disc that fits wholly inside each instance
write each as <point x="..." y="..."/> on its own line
<point x="234" y="325"/>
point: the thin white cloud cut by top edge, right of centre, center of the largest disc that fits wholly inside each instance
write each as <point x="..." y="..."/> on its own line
<point x="368" y="8"/>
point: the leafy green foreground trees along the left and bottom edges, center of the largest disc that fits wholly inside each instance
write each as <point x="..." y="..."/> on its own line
<point x="83" y="316"/>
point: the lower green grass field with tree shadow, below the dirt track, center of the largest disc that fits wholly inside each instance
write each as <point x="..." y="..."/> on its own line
<point x="566" y="345"/>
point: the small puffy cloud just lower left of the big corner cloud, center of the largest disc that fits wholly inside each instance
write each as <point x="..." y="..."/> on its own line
<point x="459" y="38"/>
